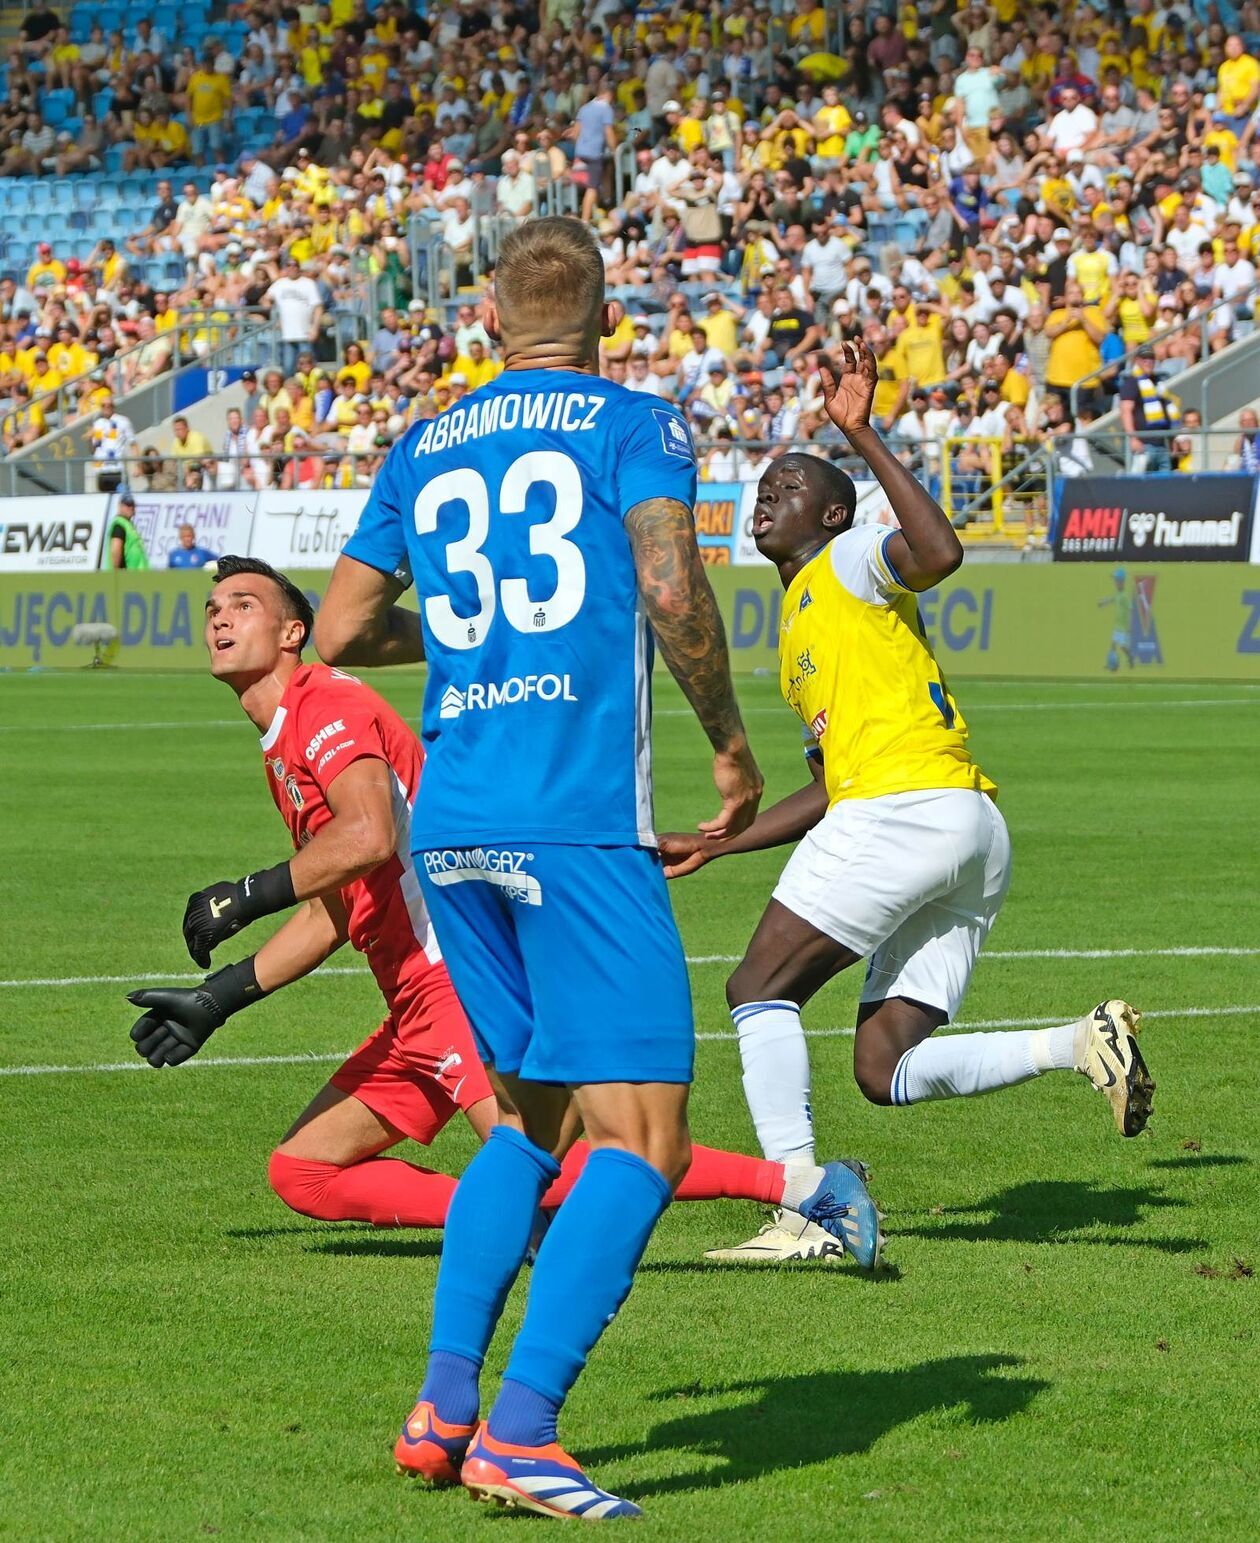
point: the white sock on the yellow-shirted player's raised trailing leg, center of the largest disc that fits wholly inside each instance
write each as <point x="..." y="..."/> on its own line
<point x="963" y="1065"/>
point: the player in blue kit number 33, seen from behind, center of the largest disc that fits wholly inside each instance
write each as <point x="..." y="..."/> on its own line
<point x="547" y="522"/>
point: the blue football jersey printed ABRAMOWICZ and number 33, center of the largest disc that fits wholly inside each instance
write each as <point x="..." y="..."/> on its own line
<point x="507" y="515"/>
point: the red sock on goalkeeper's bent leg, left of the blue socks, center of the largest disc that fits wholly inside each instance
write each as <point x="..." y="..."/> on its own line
<point x="382" y="1190"/>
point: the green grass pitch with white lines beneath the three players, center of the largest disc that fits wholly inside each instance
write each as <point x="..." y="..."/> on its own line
<point x="1066" y="1343"/>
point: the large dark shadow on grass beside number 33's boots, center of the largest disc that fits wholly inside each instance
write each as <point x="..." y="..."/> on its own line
<point x="766" y="1427"/>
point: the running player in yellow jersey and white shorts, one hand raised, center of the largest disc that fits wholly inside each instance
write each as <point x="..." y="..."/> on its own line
<point x="905" y="857"/>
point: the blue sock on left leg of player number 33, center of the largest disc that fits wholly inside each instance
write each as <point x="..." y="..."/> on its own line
<point x="488" y="1234"/>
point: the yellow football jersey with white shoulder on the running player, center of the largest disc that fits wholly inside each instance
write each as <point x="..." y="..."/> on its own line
<point x="860" y="674"/>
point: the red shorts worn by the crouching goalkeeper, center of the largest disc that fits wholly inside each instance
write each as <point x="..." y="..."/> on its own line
<point x="422" y="1065"/>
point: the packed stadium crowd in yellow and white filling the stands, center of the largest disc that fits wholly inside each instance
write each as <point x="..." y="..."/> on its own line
<point x="1003" y="200"/>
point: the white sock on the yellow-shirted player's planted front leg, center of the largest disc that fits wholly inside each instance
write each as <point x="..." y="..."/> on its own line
<point x="777" y="1079"/>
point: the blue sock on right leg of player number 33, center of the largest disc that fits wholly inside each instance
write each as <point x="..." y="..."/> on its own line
<point x="578" y="1291"/>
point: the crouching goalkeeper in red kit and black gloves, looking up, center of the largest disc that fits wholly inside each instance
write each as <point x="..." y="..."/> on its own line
<point x="345" y="772"/>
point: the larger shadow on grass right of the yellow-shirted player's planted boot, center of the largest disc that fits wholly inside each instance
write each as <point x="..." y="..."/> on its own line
<point x="1059" y="1210"/>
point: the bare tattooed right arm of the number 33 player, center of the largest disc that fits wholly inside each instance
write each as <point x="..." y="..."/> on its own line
<point x="693" y="643"/>
